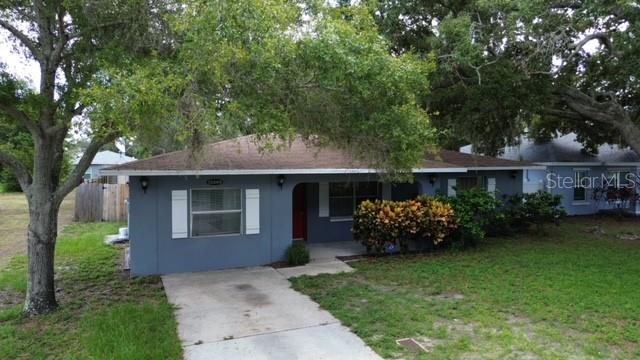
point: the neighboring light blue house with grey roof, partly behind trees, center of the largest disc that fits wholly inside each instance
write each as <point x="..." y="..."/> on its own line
<point x="588" y="183"/>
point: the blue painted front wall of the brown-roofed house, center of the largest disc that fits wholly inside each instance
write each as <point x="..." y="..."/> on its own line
<point x="153" y="251"/>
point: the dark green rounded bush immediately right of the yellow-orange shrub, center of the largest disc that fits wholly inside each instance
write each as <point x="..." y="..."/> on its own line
<point x="476" y="212"/>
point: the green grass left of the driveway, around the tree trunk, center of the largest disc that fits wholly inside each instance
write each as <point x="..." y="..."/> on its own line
<point x="103" y="314"/>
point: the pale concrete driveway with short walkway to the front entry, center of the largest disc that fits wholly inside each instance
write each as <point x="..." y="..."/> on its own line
<point x="254" y="314"/>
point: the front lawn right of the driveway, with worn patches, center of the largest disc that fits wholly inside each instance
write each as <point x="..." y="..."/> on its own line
<point x="567" y="294"/>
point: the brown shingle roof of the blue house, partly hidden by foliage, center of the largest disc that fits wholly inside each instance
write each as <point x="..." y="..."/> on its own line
<point x="244" y="153"/>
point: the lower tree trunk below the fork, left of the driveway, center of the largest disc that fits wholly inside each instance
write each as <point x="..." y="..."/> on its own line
<point x="42" y="234"/>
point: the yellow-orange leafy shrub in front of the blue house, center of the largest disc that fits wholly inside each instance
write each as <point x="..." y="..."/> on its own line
<point x="379" y="225"/>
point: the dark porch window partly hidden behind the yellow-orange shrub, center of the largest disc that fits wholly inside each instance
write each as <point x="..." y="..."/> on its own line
<point x="344" y="198"/>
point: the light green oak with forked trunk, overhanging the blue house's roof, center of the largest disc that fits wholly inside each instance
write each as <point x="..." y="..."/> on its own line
<point x="198" y="69"/>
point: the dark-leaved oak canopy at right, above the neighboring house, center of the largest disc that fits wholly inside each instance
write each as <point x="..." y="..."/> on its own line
<point x="510" y="66"/>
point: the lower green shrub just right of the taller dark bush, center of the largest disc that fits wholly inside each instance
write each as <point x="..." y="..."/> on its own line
<point x="538" y="209"/>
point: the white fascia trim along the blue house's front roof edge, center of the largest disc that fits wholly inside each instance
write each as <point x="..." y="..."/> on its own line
<point x="279" y="171"/>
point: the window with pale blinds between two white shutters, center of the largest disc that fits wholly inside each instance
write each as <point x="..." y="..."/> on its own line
<point x="216" y="212"/>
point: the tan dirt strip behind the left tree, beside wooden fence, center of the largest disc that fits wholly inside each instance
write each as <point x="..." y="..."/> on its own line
<point x="14" y="218"/>
